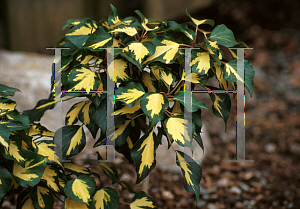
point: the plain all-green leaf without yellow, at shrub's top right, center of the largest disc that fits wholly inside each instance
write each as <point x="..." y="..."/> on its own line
<point x="223" y="36"/>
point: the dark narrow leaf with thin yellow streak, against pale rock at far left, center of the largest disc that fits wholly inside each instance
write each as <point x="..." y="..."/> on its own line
<point x="38" y="111"/>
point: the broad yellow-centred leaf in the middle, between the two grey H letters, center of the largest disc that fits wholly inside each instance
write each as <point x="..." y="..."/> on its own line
<point x="154" y="106"/>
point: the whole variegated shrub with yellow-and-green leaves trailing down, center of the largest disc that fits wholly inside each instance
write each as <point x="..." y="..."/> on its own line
<point x="149" y="77"/>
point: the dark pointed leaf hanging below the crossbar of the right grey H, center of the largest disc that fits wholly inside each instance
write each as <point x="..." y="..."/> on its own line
<point x="221" y="104"/>
